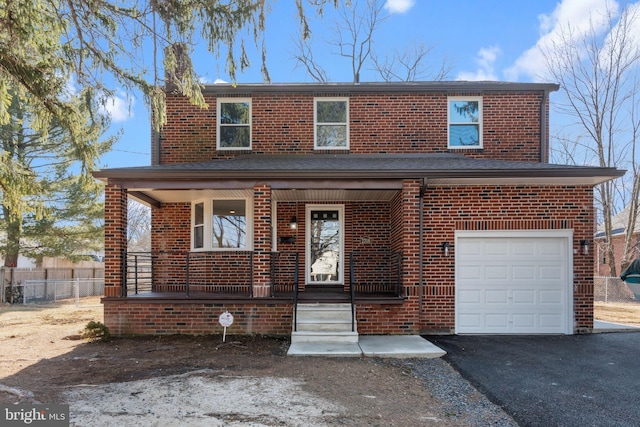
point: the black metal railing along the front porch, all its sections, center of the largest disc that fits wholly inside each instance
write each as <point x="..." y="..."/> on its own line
<point x="231" y="273"/>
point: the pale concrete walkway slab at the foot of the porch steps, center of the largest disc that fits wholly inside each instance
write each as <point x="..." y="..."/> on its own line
<point x="390" y="346"/>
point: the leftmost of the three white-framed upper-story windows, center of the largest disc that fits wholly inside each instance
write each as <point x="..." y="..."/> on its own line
<point x="234" y="124"/>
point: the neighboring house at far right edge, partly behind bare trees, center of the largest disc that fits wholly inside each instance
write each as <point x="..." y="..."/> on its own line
<point x="619" y="226"/>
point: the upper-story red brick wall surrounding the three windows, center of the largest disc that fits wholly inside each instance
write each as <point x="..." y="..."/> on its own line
<point x="379" y="123"/>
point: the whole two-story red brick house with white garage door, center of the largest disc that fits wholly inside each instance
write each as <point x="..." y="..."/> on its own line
<point x="431" y="206"/>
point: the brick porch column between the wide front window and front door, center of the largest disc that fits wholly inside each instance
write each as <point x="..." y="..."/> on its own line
<point x="262" y="241"/>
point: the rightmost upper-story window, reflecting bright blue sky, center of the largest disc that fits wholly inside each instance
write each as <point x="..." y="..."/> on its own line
<point x="465" y="122"/>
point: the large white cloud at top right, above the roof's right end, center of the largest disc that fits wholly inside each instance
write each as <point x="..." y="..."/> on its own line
<point x="579" y="15"/>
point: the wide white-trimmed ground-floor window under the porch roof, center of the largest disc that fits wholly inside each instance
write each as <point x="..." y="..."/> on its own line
<point x="220" y="224"/>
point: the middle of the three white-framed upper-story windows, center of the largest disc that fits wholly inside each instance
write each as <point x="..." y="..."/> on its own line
<point x="331" y="123"/>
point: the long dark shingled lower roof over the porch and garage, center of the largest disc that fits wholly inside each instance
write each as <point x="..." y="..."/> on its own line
<point x="434" y="169"/>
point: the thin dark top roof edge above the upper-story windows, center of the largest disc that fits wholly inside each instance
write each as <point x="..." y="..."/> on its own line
<point x="429" y="86"/>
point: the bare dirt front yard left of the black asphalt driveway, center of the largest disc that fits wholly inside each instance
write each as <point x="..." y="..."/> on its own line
<point x="201" y="381"/>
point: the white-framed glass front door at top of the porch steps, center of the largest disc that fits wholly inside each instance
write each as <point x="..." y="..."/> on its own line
<point x="325" y="258"/>
